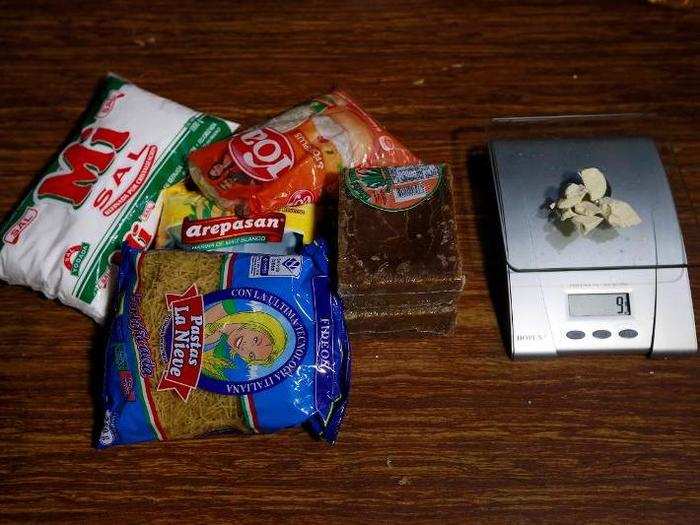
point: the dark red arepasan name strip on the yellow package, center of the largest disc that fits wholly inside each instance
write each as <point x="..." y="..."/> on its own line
<point x="271" y="225"/>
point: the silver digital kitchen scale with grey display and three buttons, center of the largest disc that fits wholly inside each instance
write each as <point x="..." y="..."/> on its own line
<point x="617" y="290"/>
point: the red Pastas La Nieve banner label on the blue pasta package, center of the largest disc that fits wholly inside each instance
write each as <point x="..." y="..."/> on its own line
<point x="186" y="343"/>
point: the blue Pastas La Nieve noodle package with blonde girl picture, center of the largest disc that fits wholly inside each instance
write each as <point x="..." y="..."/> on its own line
<point x="205" y="343"/>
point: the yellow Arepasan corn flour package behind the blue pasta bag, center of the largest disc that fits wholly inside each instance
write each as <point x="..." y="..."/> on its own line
<point x="190" y="221"/>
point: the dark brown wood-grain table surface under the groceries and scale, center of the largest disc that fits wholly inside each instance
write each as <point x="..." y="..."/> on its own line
<point x="439" y="429"/>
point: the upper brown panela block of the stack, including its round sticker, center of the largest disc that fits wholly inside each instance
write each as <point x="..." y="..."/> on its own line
<point x="397" y="238"/>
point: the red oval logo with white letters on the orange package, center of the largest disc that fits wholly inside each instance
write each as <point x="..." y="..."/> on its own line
<point x="263" y="154"/>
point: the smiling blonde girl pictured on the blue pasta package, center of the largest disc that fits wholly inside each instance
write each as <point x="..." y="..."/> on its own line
<point x="236" y="341"/>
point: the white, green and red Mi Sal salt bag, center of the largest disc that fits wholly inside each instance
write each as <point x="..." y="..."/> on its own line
<point x="100" y="190"/>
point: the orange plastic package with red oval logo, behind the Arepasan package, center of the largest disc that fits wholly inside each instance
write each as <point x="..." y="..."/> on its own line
<point x="291" y="159"/>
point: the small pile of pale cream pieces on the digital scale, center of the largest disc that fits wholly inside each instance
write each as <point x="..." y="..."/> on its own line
<point x="586" y="205"/>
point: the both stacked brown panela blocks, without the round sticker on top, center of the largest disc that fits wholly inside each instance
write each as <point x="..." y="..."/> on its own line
<point x="399" y="271"/>
